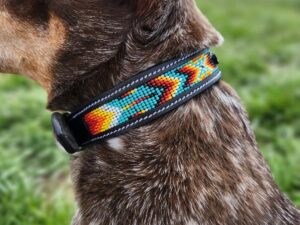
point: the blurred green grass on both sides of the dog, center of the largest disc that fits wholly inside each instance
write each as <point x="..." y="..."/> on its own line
<point x="260" y="59"/>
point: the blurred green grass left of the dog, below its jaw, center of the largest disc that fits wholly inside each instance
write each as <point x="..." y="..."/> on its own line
<point x="34" y="184"/>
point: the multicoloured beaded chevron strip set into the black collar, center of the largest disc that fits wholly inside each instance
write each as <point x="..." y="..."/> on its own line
<point x="147" y="97"/>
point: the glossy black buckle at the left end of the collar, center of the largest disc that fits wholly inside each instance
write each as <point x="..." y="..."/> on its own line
<point x="63" y="133"/>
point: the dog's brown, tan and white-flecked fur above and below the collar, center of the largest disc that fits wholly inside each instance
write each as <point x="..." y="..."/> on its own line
<point x="199" y="164"/>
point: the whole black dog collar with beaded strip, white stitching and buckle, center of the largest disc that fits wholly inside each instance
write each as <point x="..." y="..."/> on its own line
<point x="137" y="101"/>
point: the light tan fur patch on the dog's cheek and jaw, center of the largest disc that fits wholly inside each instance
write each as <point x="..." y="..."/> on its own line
<point x="25" y="44"/>
